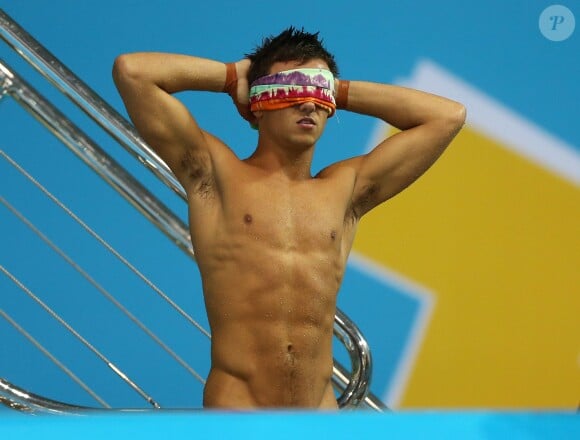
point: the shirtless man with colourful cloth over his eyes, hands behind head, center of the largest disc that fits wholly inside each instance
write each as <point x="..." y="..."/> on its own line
<point x="271" y="240"/>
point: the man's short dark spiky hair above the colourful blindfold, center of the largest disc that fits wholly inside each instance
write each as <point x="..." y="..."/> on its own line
<point x="290" y="45"/>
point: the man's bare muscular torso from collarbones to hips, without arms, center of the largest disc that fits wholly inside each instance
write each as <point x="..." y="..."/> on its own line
<point x="272" y="253"/>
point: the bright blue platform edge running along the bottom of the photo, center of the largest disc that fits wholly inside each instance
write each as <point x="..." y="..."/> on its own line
<point x="294" y="425"/>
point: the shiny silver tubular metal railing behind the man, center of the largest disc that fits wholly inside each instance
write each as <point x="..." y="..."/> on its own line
<point x="354" y="386"/>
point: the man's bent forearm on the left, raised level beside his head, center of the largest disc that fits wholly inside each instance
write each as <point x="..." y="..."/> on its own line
<point x="170" y="72"/>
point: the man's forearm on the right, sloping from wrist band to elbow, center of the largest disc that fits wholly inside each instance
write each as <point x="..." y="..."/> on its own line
<point x="401" y="107"/>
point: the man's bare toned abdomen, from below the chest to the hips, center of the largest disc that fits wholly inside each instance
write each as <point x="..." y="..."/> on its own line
<point x="271" y="322"/>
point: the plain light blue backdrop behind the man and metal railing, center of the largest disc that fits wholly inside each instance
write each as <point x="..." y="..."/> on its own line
<point x="496" y="46"/>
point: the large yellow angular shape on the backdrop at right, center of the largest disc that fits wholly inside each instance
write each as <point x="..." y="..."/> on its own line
<point x="495" y="237"/>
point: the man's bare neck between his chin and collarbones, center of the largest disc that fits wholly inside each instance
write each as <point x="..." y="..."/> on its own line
<point x="292" y="163"/>
